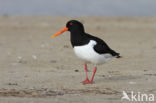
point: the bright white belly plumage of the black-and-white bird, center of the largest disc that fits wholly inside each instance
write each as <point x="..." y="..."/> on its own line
<point x="87" y="53"/>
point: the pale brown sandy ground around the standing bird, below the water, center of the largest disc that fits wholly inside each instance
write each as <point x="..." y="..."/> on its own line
<point x="35" y="68"/>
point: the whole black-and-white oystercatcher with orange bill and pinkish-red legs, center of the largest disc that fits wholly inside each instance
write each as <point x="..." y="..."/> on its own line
<point x="87" y="47"/>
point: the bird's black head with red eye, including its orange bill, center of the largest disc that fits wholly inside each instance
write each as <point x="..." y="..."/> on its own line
<point x="72" y="26"/>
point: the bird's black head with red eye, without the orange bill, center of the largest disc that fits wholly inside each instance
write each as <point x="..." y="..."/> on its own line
<point x="75" y="26"/>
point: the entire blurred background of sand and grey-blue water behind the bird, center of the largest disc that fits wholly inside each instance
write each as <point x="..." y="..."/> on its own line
<point x="35" y="68"/>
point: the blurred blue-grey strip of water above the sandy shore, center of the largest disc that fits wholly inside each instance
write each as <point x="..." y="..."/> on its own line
<point x="78" y="7"/>
